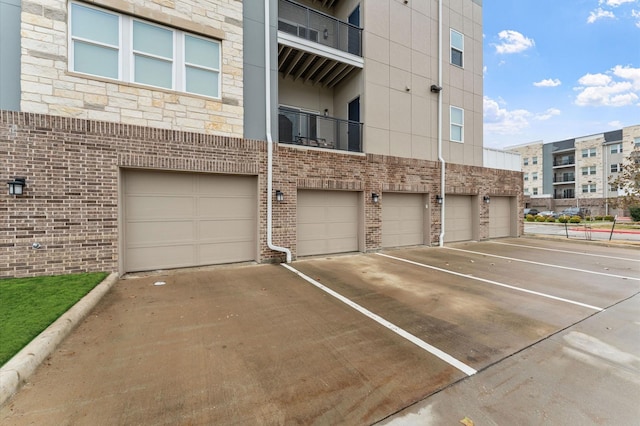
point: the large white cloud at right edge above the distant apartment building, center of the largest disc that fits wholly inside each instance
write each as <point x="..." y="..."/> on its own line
<point x="620" y="86"/>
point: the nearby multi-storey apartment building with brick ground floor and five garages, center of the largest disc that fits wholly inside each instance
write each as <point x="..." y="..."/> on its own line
<point x="154" y="135"/>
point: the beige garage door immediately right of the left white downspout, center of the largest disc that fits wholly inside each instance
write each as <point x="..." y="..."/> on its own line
<point x="327" y="222"/>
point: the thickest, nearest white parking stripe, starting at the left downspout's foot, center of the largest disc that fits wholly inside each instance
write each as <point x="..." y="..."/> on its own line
<point x="410" y="337"/>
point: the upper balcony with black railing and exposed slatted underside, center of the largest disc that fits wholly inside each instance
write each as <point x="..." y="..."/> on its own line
<point x="316" y="47"/>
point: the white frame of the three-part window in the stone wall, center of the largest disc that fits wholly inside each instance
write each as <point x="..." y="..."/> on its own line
<point x="126" y="55"/>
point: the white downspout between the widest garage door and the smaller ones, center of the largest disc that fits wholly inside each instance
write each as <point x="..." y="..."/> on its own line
<point x="267" y="73"/>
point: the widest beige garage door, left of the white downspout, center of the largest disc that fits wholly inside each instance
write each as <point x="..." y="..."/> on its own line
<point x="181" y="219"/>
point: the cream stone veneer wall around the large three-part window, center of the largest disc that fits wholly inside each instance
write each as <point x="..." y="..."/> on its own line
<point x="49" y="88"/>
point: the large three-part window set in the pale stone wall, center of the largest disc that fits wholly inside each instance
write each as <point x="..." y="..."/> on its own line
<point x="120" y="47"/>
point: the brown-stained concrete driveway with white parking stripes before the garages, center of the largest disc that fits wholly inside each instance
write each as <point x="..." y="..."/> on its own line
<point x="411" y="336"/>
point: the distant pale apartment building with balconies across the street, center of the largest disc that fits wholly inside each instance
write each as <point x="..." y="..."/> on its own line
<point x="577" y="172"/>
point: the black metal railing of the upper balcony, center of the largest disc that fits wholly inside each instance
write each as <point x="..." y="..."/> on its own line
<point x="301" y="21"/>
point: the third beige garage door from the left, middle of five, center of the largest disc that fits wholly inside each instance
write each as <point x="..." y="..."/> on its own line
<point x="402" y="220"/>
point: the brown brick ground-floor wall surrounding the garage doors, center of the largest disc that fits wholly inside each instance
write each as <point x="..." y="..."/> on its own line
<point x="72" y="166"/>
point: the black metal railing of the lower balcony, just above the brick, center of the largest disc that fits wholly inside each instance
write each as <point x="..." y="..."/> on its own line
<point x="313" y="130"/>
